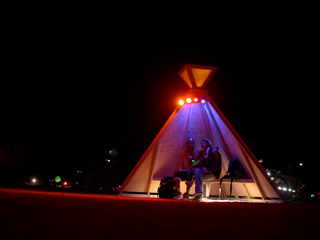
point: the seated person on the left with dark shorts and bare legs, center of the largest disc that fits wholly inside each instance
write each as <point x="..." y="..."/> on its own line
<point x="190" y="159"/>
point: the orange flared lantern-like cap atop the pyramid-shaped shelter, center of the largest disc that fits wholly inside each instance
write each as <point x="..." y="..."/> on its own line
<point x="196" y="76"/>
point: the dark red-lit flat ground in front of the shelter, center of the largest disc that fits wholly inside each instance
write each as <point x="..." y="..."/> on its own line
<point x="35" y="214"/>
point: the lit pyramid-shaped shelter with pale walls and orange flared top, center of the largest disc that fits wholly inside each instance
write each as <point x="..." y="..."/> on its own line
<point x="199" y="119"/>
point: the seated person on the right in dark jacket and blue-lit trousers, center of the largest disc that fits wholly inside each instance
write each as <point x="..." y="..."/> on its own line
<point x="210" y="167"/>
